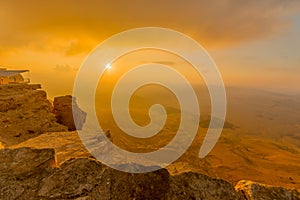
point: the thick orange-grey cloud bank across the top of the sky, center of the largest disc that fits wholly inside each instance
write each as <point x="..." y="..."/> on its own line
<point x="76" y="27"/>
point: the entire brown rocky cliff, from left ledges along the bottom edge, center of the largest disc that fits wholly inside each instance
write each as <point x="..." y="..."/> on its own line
<point x="40" y="159"/>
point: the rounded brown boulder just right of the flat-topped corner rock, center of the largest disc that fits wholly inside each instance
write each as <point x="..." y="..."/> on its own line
<point x="76" y="178"/>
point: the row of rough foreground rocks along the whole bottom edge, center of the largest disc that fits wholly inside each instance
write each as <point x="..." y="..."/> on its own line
<point x="28" y="173"/>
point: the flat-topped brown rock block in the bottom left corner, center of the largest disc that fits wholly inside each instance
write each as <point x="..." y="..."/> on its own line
<point x="21" y="171"/>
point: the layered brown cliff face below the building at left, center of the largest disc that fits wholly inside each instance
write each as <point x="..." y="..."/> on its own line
<point x="25" y="113"/>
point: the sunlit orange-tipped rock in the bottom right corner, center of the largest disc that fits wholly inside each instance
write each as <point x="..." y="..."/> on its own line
<point x="256" y="191"/>
